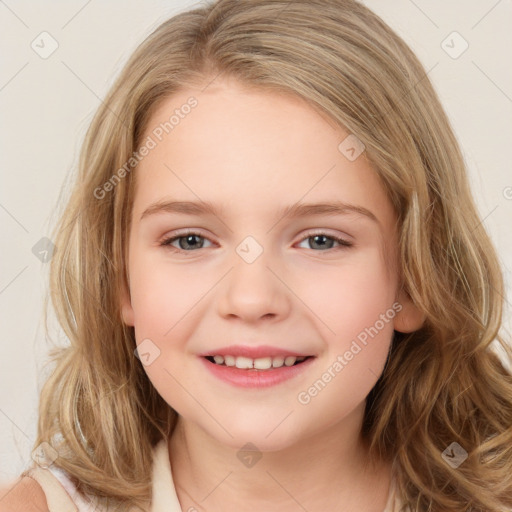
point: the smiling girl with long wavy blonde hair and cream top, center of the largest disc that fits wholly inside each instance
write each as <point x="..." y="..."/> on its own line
<point x="330" y="344"/>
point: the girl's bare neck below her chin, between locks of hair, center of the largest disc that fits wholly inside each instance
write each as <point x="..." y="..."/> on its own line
<point x="321" y="472"/>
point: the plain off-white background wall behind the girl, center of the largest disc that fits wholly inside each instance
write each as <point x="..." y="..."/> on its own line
<point x="47" y="104"/>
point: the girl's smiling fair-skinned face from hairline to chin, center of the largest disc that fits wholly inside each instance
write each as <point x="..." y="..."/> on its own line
<point x="255" y="280"/>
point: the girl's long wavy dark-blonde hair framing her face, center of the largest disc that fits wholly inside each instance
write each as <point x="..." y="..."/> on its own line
<point x="443" y="383"/>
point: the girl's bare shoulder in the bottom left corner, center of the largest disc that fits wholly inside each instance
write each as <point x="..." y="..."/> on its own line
<point x="22" y="495"/>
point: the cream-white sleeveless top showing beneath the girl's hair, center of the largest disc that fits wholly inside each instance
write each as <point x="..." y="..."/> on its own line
<point x="62" y="496"/>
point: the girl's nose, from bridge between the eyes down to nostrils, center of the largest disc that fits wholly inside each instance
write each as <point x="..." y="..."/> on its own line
<point x="252" y="290"/>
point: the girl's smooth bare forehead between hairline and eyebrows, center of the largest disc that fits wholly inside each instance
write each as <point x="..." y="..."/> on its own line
<point x="251" y="149"/>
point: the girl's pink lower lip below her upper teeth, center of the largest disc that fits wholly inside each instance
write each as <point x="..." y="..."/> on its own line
<point x="256" y="378"/>
